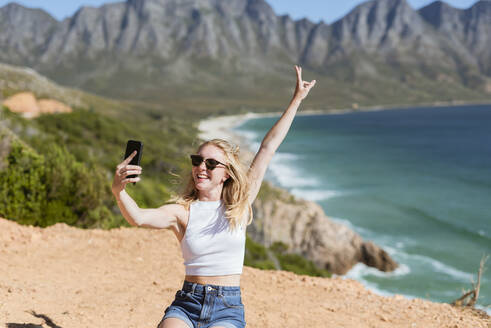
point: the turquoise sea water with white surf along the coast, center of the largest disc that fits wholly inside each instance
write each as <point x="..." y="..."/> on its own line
<point x="415" y="181"/>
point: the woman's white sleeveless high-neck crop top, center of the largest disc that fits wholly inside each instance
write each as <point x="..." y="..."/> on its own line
<point x="209" y="247"/>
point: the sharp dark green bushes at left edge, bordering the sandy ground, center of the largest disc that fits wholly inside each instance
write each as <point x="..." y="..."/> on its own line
<point x="42" y="190"/>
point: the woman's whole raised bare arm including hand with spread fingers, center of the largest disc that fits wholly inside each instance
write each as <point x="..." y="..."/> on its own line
<point x="275" y="136"/>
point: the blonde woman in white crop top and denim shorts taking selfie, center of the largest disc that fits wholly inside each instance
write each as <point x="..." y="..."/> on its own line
<point x="210" y="220"/>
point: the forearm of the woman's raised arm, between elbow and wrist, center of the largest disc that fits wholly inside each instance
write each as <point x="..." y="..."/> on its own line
<point x="278" y="132"/>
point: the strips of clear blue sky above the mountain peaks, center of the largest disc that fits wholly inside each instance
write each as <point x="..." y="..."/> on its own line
<point x="315" y="10"/>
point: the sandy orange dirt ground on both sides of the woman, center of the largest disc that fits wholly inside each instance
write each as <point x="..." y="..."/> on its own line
<point x="67" y="277"/>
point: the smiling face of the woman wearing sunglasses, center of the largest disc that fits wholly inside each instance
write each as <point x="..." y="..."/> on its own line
<point x="205" y="179"/>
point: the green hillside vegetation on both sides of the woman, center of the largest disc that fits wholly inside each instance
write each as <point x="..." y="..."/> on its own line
<point x="58" y="168"/>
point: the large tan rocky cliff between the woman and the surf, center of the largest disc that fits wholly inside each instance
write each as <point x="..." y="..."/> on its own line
<point x="307" y="231"/>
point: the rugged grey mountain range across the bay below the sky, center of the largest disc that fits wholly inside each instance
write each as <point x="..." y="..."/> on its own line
<point x="383" y="51"/>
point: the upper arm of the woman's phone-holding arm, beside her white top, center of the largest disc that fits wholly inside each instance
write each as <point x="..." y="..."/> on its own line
<point x="164" y="217"/>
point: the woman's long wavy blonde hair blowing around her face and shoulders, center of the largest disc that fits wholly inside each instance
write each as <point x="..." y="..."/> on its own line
<point x="235" y="192"/>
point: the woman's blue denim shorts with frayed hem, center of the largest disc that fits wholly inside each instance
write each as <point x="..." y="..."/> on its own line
<point x="203" y="306"/>
